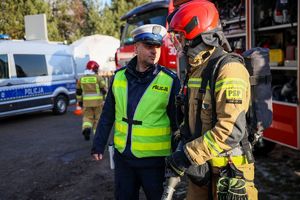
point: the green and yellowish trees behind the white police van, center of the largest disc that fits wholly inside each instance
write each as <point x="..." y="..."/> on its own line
<point x="66" y="19"/>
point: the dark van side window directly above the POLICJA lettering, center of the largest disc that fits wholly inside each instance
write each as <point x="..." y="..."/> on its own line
<point x="30" y="65"/>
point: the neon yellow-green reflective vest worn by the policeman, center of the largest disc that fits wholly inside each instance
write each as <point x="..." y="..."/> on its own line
<point x="152" y="135"/>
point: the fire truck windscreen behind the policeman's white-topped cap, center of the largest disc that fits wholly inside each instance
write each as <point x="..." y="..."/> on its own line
<point x="152" y="17"/>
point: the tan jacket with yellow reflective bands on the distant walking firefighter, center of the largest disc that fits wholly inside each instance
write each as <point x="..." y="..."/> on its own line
<point x="88" y="90"/>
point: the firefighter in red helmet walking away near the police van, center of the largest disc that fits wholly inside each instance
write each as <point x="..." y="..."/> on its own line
<point x="90" y="93"/>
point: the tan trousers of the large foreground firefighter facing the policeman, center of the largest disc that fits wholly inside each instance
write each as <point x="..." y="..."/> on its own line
<point x="195" y="192"/>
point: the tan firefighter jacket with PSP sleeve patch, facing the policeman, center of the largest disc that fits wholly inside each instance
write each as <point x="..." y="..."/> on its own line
<point x="232" y="94"/>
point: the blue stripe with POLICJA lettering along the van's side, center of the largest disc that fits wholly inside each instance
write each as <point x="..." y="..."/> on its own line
<point x="26" y="92"/>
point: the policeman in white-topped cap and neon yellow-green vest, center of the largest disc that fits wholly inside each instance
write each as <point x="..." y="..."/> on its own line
<point x="140" y="102"/>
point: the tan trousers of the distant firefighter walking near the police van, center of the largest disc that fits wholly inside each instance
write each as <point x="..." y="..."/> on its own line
<point x="91" y="117"/>
